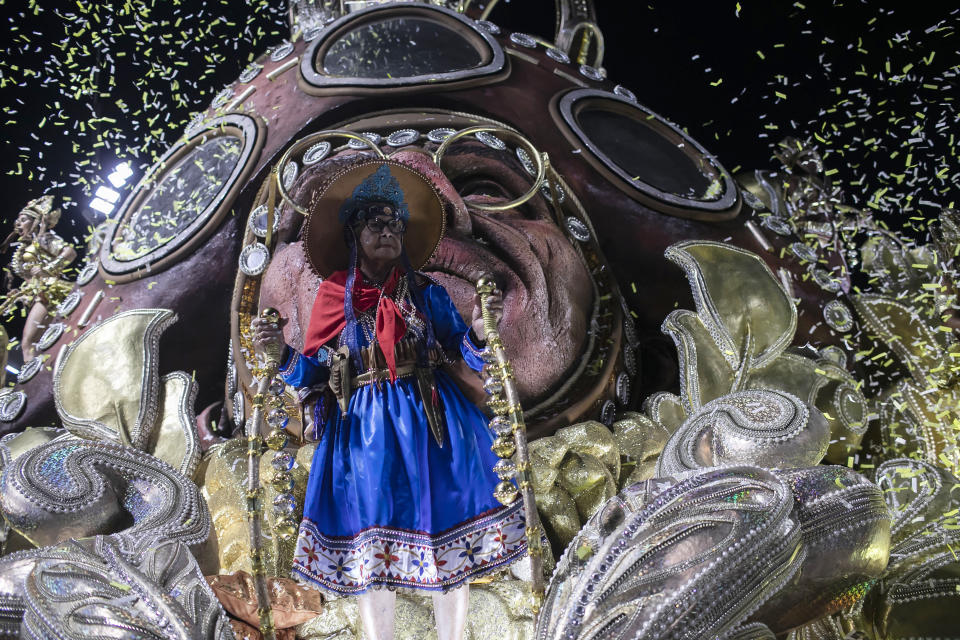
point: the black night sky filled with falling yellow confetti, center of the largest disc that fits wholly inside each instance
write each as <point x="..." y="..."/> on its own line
<point x="876" y="85"/>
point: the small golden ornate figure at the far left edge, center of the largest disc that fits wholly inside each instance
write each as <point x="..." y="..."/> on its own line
<point x="40" y="257"/>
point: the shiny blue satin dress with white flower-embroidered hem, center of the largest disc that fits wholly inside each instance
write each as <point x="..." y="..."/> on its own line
<point x="385" y="504"/>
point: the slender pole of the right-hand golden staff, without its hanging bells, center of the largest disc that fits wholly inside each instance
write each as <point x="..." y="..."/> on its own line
<point x="485" y="287"/>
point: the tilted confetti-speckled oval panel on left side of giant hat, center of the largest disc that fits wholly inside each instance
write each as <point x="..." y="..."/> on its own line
<point x="183" y="198"/>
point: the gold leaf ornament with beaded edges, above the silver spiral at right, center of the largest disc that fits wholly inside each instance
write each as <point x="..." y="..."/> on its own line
<point x="737" y="340"/>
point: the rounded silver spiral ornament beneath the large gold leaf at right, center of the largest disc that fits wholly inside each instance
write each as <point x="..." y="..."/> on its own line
<point x="763" y="427"/>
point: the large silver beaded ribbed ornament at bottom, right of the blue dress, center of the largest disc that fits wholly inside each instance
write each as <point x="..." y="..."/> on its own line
<point x="694" y="562"/>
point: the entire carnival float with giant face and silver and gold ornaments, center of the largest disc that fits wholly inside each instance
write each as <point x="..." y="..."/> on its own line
<point x="157" y="453"/>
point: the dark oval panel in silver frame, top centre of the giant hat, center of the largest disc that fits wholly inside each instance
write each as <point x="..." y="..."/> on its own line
<point x="400" y="46"/>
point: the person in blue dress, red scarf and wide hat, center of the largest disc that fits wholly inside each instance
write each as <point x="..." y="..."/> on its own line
<point x="400" y="493"/>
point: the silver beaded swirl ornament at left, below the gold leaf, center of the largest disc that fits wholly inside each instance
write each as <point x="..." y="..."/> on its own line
<point x="71" y="488"/>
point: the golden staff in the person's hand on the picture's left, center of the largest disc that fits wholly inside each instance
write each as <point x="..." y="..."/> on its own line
<point x="255" y="491"/>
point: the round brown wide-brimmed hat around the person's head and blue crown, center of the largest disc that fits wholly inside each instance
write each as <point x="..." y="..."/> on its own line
<point x="323" y="232"/>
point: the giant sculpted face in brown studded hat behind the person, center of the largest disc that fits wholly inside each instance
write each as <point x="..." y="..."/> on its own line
<point x="568" y="193"/>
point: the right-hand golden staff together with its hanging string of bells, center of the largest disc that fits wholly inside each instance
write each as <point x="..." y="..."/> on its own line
<point x="512" y="438"/>
